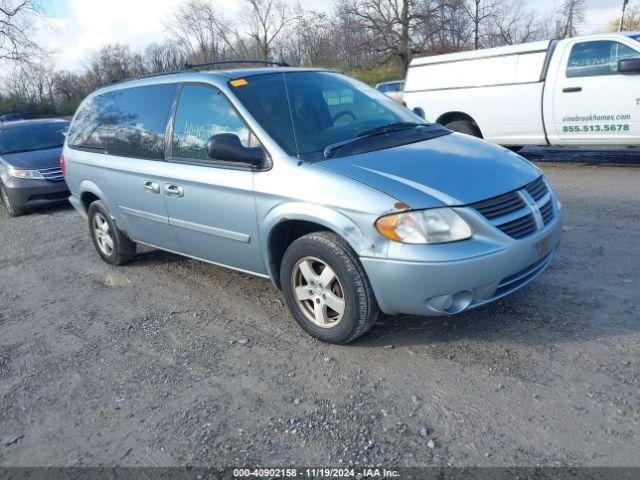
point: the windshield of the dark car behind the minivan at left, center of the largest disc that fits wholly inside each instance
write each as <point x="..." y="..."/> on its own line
<point x="30" y="137"/>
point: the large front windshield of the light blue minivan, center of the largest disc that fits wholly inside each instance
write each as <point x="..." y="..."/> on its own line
<point x="309" y="112"/>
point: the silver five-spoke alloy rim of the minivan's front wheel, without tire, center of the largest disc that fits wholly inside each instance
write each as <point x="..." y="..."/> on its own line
<point x="318" y="292"/>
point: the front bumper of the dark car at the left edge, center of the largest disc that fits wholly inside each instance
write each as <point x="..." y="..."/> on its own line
<point x="26" y="194"/>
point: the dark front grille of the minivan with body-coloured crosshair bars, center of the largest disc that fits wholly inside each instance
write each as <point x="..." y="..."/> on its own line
<point x="513" y="213"/>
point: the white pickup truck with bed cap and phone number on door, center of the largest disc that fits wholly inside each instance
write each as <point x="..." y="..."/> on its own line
<point x="579" y="92"/>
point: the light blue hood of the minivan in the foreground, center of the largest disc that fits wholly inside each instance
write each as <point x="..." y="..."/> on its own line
<point x="450" y="170"/>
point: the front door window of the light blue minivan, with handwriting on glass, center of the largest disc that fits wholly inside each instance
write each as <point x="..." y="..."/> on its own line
<point x="203" y="112"/>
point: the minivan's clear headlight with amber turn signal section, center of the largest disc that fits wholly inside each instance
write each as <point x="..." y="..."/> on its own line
<point x="437" y="225"/>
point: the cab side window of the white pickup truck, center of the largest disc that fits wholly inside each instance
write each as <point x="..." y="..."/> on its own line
<point x="589" y="59"/>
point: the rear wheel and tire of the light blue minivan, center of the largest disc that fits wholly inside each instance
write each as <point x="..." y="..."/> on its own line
<point x="113" y="245"/>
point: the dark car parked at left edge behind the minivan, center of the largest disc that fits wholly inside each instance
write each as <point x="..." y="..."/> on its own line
<point x="30" y="173"/>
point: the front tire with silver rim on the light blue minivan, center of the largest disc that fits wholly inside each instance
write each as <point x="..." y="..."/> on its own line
<point x="350" y="286"/>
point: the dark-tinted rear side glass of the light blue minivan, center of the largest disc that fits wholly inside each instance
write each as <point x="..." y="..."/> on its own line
<point x="129" y="122"/>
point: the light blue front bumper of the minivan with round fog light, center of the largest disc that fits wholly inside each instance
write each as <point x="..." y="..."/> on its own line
<point x="451" y="278"/>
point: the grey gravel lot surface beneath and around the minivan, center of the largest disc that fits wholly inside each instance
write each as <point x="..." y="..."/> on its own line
<point x="170" y="361"/>
